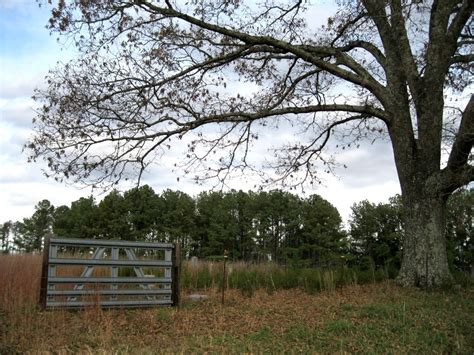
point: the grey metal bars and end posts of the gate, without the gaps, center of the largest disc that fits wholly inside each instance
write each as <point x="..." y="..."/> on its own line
<point x="47" y="274"/>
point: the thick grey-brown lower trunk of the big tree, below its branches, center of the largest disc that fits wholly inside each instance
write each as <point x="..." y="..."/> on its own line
<point x="424" y="262"/>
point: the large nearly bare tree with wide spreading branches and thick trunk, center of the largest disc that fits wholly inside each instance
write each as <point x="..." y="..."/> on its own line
<point x="152" y="73"/>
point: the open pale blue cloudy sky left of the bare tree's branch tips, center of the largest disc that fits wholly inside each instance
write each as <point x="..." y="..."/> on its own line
<point x="27" y="51"/>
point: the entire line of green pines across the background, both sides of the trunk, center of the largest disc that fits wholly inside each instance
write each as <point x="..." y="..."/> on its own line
<point x="251" y="226"/>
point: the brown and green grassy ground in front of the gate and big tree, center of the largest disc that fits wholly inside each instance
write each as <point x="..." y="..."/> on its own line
<point x="370" y="318"/>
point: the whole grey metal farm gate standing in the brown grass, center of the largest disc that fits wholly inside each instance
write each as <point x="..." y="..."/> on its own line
<point x="79" y="273"/>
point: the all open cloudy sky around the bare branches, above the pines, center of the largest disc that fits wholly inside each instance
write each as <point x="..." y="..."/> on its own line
<point x="27" y="52"/>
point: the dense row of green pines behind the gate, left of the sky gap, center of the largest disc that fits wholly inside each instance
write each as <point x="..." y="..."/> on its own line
<point x="251" y="226"/>
